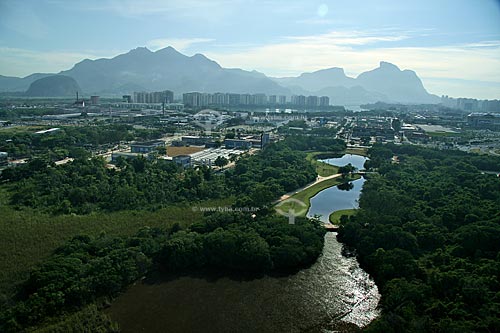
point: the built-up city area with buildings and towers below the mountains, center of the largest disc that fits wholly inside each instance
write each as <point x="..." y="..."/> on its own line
<point x="213" y="129"/>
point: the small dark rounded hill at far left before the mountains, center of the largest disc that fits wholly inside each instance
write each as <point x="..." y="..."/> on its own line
<point x="53" y="86"/>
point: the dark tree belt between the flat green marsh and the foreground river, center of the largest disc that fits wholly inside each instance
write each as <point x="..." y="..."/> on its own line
<point x="86" y="269"/>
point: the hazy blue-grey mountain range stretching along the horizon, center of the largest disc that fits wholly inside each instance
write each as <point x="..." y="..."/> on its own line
<point x="143" y="70"/>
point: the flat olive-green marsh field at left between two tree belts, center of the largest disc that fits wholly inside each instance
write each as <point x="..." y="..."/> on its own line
<point x="27" y="236"/>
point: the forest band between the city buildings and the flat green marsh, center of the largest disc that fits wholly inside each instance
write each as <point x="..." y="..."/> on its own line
<point x="88" y="185"/>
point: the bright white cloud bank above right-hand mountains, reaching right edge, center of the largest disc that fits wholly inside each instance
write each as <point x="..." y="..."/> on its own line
<point x="475" y="62"/>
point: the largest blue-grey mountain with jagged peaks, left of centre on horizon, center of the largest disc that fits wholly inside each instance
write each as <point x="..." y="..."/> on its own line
<point x="167" y="69"/>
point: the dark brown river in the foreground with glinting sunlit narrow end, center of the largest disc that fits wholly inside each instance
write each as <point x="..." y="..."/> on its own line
<point x="333" y="294"/>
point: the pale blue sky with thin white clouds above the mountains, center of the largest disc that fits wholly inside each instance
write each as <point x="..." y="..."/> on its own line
<point x="453" y="45"/>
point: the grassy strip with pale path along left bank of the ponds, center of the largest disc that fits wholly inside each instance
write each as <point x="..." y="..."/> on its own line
<point x="300" y="202"/>
